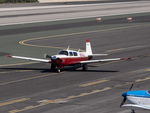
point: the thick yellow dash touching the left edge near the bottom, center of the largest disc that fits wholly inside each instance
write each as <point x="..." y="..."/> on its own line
<point x="14" y="101"/>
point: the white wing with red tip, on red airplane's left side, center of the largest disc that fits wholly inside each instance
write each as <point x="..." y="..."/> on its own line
<point x="32" y="59"/>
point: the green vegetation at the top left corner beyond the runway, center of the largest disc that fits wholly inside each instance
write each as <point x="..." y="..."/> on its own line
<point x="18" y="1"/>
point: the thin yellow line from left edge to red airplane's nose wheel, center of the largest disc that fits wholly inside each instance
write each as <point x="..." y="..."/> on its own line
<point x="30" y="78"/>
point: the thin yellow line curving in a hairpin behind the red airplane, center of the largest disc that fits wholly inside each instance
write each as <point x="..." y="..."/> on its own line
<point x="78" y="33"/>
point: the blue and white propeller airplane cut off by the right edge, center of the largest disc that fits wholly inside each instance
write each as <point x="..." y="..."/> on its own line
<point x="138" y="99"/>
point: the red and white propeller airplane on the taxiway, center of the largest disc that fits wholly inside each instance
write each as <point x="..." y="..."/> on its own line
<point x="71" y="58"/>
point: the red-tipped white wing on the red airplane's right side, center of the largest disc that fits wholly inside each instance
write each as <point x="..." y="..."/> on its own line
<point x="103" y="60"/>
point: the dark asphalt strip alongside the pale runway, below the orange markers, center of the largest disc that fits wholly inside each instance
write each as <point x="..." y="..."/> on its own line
<point x="86" y="23"/>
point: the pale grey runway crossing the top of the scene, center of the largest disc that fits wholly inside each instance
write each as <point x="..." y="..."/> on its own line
<point x="34" y="14"/>
